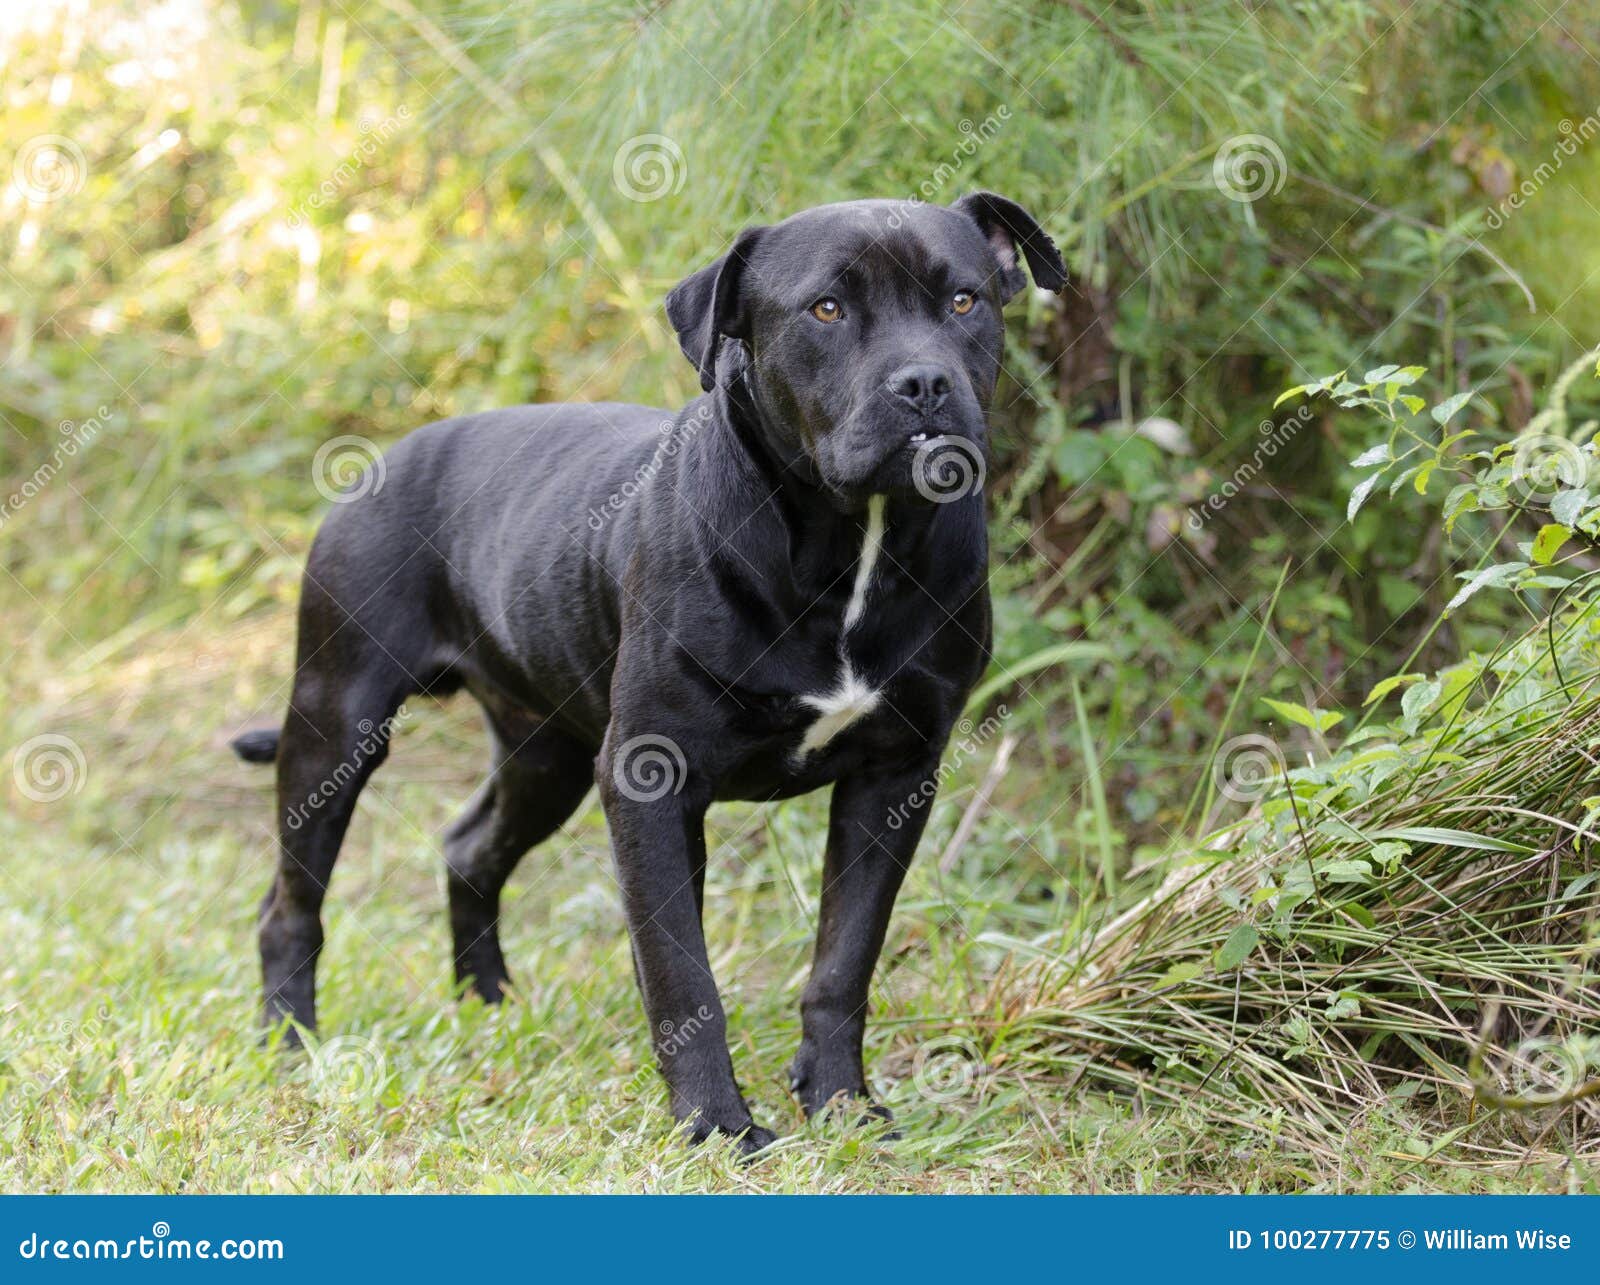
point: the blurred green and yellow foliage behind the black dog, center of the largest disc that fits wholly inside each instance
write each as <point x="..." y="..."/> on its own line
<point x="234" y="233"/>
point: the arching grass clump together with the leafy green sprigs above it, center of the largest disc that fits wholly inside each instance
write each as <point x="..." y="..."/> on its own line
<point x="1410" y="916"/>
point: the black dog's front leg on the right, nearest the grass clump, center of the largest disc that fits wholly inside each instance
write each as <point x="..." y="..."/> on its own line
<point x="873" y="836"/>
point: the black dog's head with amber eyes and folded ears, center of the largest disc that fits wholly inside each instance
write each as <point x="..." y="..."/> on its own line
<point x="866" y="330"/>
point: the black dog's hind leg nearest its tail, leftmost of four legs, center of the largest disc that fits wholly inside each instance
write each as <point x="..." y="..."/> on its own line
<point x="335" y="737"/>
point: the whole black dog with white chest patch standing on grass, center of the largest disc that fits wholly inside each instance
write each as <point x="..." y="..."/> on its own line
<point x="778" y="588"/>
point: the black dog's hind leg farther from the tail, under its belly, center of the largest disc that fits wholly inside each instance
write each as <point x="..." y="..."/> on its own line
<point x="538" y="779"/>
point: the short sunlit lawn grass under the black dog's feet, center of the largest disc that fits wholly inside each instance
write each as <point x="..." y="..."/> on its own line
<point x="129" y="1059"/>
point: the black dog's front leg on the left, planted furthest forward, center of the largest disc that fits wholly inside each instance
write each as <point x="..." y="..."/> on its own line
<point x="658" y="841"/>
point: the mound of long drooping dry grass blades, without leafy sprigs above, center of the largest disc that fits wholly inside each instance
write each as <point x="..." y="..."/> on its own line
<point x="1298" y="975"/>
